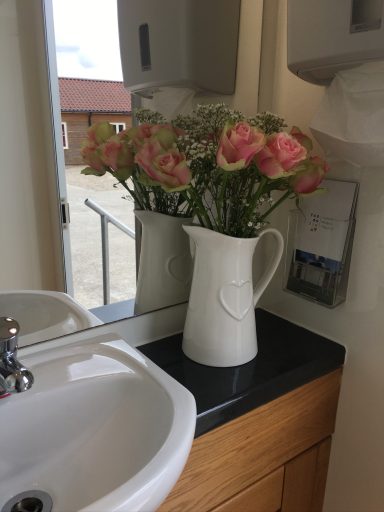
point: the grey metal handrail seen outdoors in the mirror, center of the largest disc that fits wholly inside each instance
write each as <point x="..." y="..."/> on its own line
<point x="105" y="218"/>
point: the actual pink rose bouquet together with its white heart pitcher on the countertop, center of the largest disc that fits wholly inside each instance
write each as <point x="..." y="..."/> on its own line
<point x="242" y="170"/>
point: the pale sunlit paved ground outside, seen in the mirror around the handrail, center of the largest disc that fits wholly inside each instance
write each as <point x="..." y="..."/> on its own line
<point x="86" y="239"/>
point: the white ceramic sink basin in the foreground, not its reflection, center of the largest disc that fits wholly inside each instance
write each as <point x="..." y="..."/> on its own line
<point x="102" y="429"/>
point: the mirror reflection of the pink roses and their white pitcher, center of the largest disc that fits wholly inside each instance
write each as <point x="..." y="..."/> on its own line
<point x="145" y="161"/>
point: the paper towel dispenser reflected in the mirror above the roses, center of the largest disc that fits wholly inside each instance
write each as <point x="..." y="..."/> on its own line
<point x="186" y="43"/>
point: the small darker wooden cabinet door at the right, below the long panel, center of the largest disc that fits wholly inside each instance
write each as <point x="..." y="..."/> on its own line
<point x="305" y="479"/>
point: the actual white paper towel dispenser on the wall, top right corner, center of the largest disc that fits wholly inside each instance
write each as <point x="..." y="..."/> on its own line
<point x="326" y="36"/>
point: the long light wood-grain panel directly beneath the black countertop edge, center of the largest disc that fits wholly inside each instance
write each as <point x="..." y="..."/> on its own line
<point x="232" y="457"/>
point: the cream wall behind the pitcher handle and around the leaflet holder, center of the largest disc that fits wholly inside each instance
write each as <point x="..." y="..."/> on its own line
<point x="355" y="480"/>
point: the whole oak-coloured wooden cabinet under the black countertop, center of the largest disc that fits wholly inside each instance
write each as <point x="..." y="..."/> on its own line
<point x="270" y="459"/>
